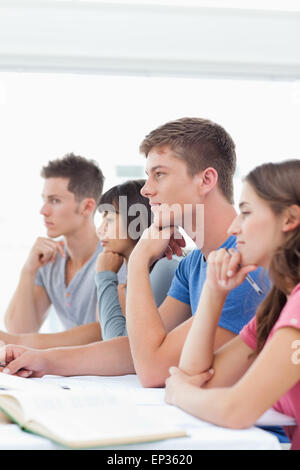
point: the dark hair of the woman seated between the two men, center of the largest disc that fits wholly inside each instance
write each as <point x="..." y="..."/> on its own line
<point x="127" y="200"/>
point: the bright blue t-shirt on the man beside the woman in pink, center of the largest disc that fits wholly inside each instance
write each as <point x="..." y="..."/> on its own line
<point x="241" y="303"/>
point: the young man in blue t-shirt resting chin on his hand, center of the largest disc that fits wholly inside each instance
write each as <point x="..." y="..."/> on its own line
<point x="190" y="167"/>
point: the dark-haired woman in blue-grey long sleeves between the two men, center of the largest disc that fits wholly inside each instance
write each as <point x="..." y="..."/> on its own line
<point x="126" y="214"/>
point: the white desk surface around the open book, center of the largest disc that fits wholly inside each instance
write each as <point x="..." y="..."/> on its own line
<point x="201" y="435"/>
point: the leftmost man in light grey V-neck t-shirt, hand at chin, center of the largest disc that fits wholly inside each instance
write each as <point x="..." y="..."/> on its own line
<point x="61" y="272"/>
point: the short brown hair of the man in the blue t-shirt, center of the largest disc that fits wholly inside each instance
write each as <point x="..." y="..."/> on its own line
<point x="201" y="143"/>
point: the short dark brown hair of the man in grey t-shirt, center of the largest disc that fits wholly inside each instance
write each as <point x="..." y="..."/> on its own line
<point x="85" y="177"/>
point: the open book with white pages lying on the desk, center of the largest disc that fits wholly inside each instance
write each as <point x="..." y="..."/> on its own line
<point x="79" y="420"/>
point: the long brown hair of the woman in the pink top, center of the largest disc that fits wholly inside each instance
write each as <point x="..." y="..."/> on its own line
<point x="279" y="185"/>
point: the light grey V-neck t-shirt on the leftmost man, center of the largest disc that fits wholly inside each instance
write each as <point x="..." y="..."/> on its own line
<point x="76" y="303"/>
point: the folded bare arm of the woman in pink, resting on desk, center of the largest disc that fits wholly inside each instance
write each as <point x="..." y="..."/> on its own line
<point x="265" y="381"/>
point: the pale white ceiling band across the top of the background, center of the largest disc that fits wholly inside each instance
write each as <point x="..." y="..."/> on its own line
<point x="91" y="37"/>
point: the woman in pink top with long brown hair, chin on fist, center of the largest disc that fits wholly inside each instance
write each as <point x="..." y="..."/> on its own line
<point x="260" y="368"/>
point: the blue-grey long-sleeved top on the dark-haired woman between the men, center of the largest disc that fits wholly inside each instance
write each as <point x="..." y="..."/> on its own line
<point x="112" y="320"/>
